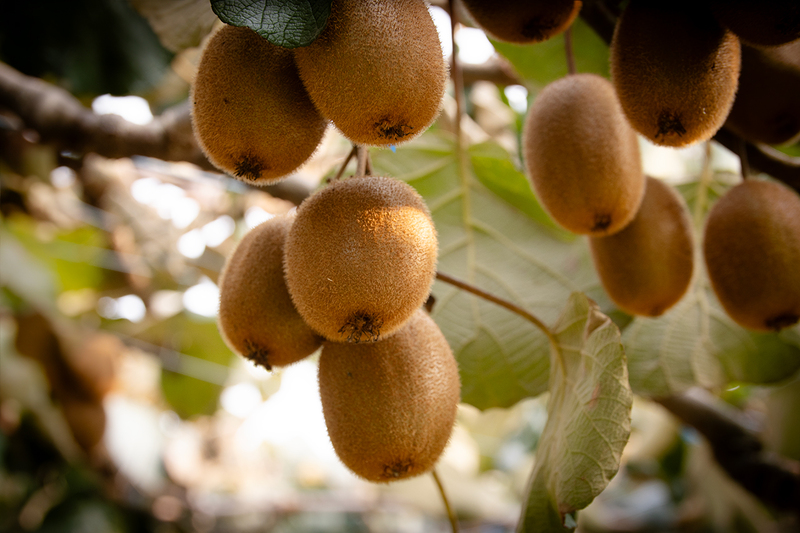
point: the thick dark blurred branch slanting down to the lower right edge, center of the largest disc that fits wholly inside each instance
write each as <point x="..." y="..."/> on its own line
<point x="774" y="480"/>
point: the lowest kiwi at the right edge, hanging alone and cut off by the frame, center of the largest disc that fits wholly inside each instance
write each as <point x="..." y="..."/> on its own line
<point x="752" y="253"/>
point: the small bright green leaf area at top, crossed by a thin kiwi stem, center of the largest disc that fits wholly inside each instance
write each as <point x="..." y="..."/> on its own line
<point x="541" y="63"/>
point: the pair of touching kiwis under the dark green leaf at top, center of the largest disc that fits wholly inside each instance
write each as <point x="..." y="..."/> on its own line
<point x="377" y="72"/>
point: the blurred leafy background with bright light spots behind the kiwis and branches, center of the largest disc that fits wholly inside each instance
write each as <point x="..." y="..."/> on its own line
<point x="121" y="409"/>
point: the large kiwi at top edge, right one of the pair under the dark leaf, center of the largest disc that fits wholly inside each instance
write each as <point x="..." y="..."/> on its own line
<point x="377" y="70"/>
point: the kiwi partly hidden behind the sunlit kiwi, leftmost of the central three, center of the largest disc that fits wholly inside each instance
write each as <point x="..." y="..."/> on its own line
<point x="256" y="316"/>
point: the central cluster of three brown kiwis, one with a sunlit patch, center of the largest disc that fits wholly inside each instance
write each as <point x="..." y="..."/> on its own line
<point x="351" y="270"/>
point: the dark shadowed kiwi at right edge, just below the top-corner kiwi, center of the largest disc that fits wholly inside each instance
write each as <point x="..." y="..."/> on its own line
<point x="767" y="105"/>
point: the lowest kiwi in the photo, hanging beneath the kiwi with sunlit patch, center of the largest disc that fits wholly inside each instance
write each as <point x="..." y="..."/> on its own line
<point x="390" y="406"/>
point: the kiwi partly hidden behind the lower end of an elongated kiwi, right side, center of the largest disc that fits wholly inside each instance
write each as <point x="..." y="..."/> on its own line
<point x="646" y="268"/>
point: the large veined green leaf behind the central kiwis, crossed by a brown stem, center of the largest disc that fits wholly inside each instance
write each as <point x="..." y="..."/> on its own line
<point x="501" y="248"/>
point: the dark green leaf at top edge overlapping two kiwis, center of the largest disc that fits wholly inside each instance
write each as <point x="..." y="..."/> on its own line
<point x="287" y="23"/>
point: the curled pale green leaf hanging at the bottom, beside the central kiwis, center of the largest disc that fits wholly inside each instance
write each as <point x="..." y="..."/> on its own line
<point x="588" y="418"/>
